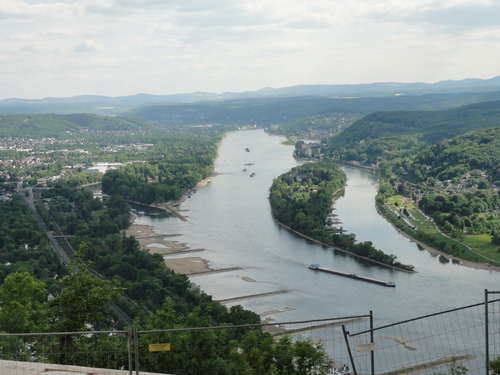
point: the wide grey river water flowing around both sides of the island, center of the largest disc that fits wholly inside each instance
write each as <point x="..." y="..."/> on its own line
<point x="231" y="219"/>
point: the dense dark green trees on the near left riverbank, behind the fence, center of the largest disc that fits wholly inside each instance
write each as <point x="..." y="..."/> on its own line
<point x="138" y="282"/>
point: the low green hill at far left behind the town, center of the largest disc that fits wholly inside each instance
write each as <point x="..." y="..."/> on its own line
<point x="50" y="125"/>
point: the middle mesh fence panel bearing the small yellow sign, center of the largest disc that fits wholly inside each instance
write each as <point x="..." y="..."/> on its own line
<point x="191" y="348"/>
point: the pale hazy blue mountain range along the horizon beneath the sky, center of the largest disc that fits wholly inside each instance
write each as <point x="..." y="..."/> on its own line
<point x="105" y="105"/>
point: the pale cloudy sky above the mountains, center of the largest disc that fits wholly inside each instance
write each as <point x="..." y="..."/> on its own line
<point x="62" y="48"/>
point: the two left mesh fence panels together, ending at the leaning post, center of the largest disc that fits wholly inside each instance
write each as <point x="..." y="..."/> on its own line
<point x="203" y="350"/>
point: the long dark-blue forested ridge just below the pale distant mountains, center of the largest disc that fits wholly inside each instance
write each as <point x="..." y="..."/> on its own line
<point x="270" y="111"/>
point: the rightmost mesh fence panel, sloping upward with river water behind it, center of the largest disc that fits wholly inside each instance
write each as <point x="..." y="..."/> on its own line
<point x="446" y="342"/>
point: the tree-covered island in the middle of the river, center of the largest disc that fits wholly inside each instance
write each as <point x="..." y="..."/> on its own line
<point x="302" y="200"/>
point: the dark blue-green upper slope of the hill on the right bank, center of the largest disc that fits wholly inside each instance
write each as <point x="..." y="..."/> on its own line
<point x="432" y="126"/>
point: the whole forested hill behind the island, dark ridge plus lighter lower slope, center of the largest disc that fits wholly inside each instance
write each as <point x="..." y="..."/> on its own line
<point x="394" y="137"/>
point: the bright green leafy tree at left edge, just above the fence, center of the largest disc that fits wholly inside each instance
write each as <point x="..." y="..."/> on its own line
<point x="21" y="304"/>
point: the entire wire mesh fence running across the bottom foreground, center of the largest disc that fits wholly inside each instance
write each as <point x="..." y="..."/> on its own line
<point x="442" y="343"/>
